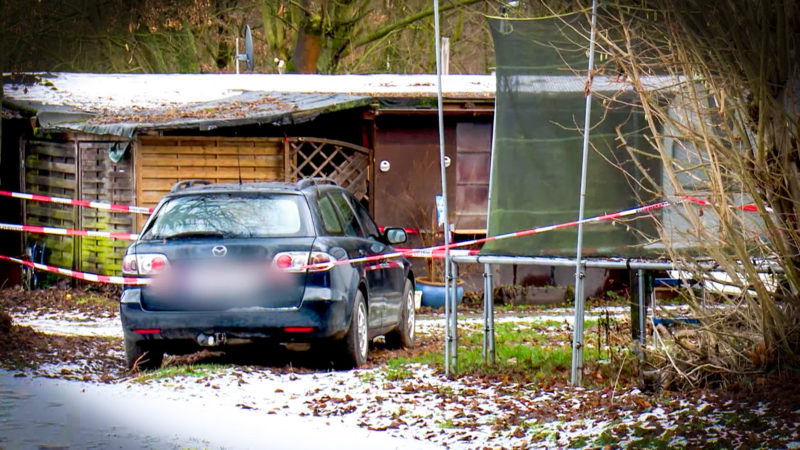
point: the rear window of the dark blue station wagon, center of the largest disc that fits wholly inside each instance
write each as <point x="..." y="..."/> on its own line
<point x="231" y="216"/>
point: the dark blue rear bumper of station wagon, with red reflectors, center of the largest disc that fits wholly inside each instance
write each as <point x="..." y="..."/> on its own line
<point x="318" y="317"/>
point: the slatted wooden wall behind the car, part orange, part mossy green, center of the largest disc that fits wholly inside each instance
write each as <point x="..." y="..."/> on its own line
<point x="78" y="166"/>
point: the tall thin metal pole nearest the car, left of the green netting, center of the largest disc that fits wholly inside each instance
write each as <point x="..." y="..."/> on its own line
<point x="449" y="335"/>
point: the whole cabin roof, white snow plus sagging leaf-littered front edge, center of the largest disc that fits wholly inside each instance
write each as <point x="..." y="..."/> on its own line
<point x="122" y="103"/>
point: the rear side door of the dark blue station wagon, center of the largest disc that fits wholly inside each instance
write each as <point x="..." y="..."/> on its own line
<point x="357" y="245"/>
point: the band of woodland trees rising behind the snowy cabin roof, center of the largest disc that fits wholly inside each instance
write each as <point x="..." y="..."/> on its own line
<point x="327" y="36"/>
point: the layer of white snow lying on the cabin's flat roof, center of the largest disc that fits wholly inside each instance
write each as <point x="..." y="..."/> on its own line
<point x="97" y="92"/>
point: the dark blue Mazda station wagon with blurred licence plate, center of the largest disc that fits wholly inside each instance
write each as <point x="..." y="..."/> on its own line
<point x="264" y="262"/>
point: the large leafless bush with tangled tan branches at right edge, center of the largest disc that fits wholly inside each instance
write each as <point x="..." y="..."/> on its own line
<point x="728" y="130"/>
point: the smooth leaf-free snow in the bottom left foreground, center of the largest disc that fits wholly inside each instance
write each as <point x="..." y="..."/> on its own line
<point x="47" y="413"/>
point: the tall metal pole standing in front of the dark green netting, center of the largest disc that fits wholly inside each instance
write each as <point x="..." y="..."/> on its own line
<point x="577" y="339"/>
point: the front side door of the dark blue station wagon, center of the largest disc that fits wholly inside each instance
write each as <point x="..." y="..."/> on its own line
<point x="393" y="272"/>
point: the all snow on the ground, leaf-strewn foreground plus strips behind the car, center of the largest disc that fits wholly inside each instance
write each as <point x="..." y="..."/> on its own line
<point x="411" y="406"/>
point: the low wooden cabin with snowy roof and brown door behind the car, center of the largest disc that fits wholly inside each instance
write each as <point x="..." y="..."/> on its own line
<point x="127" y="138"/>
